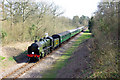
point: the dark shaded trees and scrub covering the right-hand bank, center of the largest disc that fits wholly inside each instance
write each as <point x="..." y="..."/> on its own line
<point x="104" y="26"/>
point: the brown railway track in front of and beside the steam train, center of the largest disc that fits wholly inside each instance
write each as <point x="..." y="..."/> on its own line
<point x="27" y="66"/>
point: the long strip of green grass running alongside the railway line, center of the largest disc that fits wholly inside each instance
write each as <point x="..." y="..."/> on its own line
<point x="64" y="58"/>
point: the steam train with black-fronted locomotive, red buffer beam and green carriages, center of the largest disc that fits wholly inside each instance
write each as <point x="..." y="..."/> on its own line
<point x="46" y="45"/>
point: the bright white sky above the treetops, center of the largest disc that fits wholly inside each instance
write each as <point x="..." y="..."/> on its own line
<point x="76" y="7"/>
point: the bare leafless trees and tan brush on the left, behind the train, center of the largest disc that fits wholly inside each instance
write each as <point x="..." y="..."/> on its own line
<point x="27" y="20"/>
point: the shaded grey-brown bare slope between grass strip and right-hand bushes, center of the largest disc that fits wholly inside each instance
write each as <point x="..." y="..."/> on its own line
<point x="81" y="63"/>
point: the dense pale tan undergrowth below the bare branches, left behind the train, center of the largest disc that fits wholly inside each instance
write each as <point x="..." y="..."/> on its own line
<point x="16" y="33"/>
